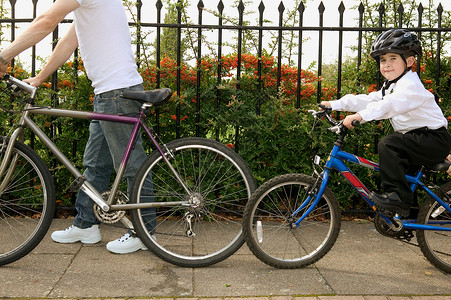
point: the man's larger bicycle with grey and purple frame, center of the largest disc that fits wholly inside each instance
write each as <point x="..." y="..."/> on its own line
<point x="200" y="187"/>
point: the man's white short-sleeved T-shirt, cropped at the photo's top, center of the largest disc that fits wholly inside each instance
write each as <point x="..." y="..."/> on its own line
<point x="105" y="44"/>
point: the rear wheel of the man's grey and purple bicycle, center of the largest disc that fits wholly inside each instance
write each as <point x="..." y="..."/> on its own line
<point x="222" y="183"/>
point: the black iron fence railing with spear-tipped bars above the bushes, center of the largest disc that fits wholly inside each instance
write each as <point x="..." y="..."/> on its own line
<point x="220" y="27"/>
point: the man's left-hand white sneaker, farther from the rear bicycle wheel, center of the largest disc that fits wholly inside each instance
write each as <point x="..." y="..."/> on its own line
<point x="74" y="234"/>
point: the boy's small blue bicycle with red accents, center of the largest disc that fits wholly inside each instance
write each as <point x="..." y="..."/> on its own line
<point x="293" y="220"/>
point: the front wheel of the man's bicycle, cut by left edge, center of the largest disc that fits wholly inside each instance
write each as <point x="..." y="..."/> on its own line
<point x="27" y="205"/>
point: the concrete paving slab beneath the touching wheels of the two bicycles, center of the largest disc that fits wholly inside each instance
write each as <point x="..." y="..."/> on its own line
<point x="244" y="275"/>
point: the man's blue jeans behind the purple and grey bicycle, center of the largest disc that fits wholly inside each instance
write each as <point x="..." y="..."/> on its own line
<point x="104" y="151"/>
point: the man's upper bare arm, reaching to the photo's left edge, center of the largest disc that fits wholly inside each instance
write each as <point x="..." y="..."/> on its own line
<point x="38" y="29"/>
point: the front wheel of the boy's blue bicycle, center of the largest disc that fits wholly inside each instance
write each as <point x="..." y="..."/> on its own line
<point x="271" y="208"/>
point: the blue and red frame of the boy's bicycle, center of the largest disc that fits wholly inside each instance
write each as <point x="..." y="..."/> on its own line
<point x="336" y="161"/>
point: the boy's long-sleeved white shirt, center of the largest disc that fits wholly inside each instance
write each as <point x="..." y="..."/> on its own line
<point x="406" y="103"/>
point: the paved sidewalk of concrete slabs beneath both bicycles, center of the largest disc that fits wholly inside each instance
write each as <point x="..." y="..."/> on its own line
<point x="363" y="265"/>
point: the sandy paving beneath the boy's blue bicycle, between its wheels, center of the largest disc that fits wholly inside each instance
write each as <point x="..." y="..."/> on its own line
<point x="365" y="262"/>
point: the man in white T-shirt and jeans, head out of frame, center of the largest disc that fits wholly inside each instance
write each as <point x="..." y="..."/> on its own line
<point x="100" y="30"/>
